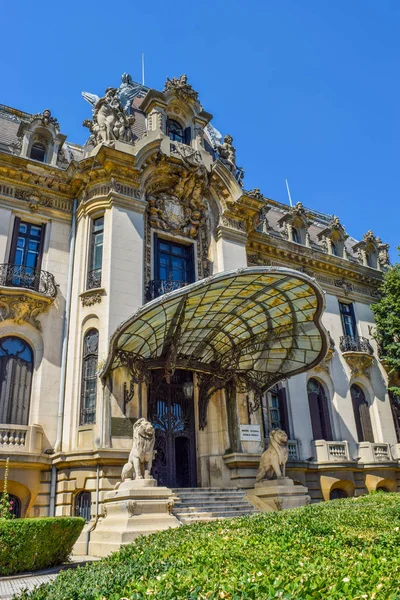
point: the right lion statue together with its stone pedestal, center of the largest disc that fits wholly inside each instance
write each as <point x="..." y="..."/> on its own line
<point x="272" y="490"/>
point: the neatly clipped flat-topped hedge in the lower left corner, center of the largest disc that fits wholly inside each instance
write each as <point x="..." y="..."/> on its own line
<point x="32" y="544"/>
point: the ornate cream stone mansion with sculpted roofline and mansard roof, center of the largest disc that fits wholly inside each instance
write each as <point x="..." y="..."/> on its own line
<point x="89" y="235"/>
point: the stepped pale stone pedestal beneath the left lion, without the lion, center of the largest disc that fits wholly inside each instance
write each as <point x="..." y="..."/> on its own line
<point x="136" y="508"/>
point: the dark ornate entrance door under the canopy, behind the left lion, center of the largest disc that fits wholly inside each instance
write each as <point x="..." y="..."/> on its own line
<point x="171" y="412"/>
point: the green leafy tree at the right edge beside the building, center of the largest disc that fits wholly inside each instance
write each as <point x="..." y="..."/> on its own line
<point x="387" y="318"/>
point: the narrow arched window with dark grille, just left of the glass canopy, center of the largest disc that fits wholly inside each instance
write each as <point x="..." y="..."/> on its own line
<point x="89" y="377"/>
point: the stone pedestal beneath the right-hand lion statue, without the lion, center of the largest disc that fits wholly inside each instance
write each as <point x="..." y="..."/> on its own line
<point x="278" y="494"/>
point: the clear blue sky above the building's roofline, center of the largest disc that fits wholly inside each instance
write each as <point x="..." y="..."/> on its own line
<point x="309" y="89"/>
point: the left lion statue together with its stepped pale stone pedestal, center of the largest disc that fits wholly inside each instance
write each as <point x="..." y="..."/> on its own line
<point x="136" y="506"/>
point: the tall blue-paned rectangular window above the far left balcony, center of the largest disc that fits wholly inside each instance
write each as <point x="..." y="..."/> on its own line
<point x="25" y="254"/>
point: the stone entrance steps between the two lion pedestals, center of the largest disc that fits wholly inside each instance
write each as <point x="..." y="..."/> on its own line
<point x="194" y="505"/>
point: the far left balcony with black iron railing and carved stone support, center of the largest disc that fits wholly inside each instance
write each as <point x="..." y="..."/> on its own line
<point x="25" y="293"/>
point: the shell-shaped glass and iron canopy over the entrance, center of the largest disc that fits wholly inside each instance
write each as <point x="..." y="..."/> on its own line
<point x="256" y="324"/>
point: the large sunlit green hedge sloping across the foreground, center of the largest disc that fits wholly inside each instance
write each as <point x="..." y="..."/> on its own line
<point x="344" y="549"/>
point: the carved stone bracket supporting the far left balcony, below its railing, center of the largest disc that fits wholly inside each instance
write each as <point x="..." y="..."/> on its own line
<point x="22" y="308"/>
